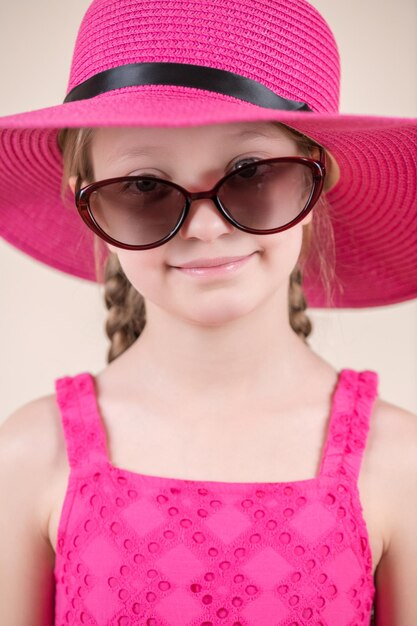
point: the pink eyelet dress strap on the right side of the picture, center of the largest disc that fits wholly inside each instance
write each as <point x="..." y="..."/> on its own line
<point x="352" y="406"/>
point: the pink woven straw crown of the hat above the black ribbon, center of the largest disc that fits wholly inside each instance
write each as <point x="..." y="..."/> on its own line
<point x="293" y="40"/>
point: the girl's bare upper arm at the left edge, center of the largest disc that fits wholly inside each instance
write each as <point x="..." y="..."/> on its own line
<point x="27" y="558"/>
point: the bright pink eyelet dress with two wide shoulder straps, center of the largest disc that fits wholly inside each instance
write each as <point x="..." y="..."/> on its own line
<point x="159" y="551"/>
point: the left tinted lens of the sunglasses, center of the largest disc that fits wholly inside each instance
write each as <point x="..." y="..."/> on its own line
<point x="137" y="212"/>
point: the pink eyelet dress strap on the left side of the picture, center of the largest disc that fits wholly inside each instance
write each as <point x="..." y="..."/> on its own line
<point x="84" y="434"/>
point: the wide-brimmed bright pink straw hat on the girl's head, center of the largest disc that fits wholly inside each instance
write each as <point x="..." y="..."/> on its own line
<point x="193" y="62"/>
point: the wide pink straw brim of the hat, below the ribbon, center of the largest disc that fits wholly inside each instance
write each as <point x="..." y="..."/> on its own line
<point x="373" y="207"/>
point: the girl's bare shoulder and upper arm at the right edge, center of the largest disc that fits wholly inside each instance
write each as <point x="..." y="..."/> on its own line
<point x="393" y="449"/>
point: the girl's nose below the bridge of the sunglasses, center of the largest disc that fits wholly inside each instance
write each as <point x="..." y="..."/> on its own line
<point x="204" y="221"/>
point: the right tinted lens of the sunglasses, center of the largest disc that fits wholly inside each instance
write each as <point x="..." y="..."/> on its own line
<point x="269" y="195"/>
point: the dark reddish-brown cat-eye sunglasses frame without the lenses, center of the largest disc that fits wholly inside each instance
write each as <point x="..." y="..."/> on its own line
<point x="317" y="167"/>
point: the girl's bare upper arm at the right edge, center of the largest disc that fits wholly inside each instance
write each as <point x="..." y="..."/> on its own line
<point x="396" y="575"/>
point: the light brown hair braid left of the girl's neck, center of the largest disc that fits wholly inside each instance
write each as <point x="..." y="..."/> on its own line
<point x="127" y="314"/>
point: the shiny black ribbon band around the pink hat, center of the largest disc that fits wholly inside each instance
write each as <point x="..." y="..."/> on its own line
<point x="184" y="75"/>
